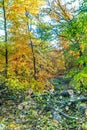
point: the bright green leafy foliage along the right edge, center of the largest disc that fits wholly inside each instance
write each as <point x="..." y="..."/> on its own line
<point x="75" y="33"/>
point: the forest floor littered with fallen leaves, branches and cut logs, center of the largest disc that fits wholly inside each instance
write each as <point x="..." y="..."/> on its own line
<point x="61" y="108"/>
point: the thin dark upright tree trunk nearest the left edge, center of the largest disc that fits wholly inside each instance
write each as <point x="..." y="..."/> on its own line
<point x="6" y="49"/>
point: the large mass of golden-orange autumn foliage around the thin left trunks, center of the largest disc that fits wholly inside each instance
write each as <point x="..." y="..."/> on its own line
<point x="20" y="55"/>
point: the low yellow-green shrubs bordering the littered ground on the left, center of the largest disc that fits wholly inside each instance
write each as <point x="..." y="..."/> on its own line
<point x="16" y="86"/>
